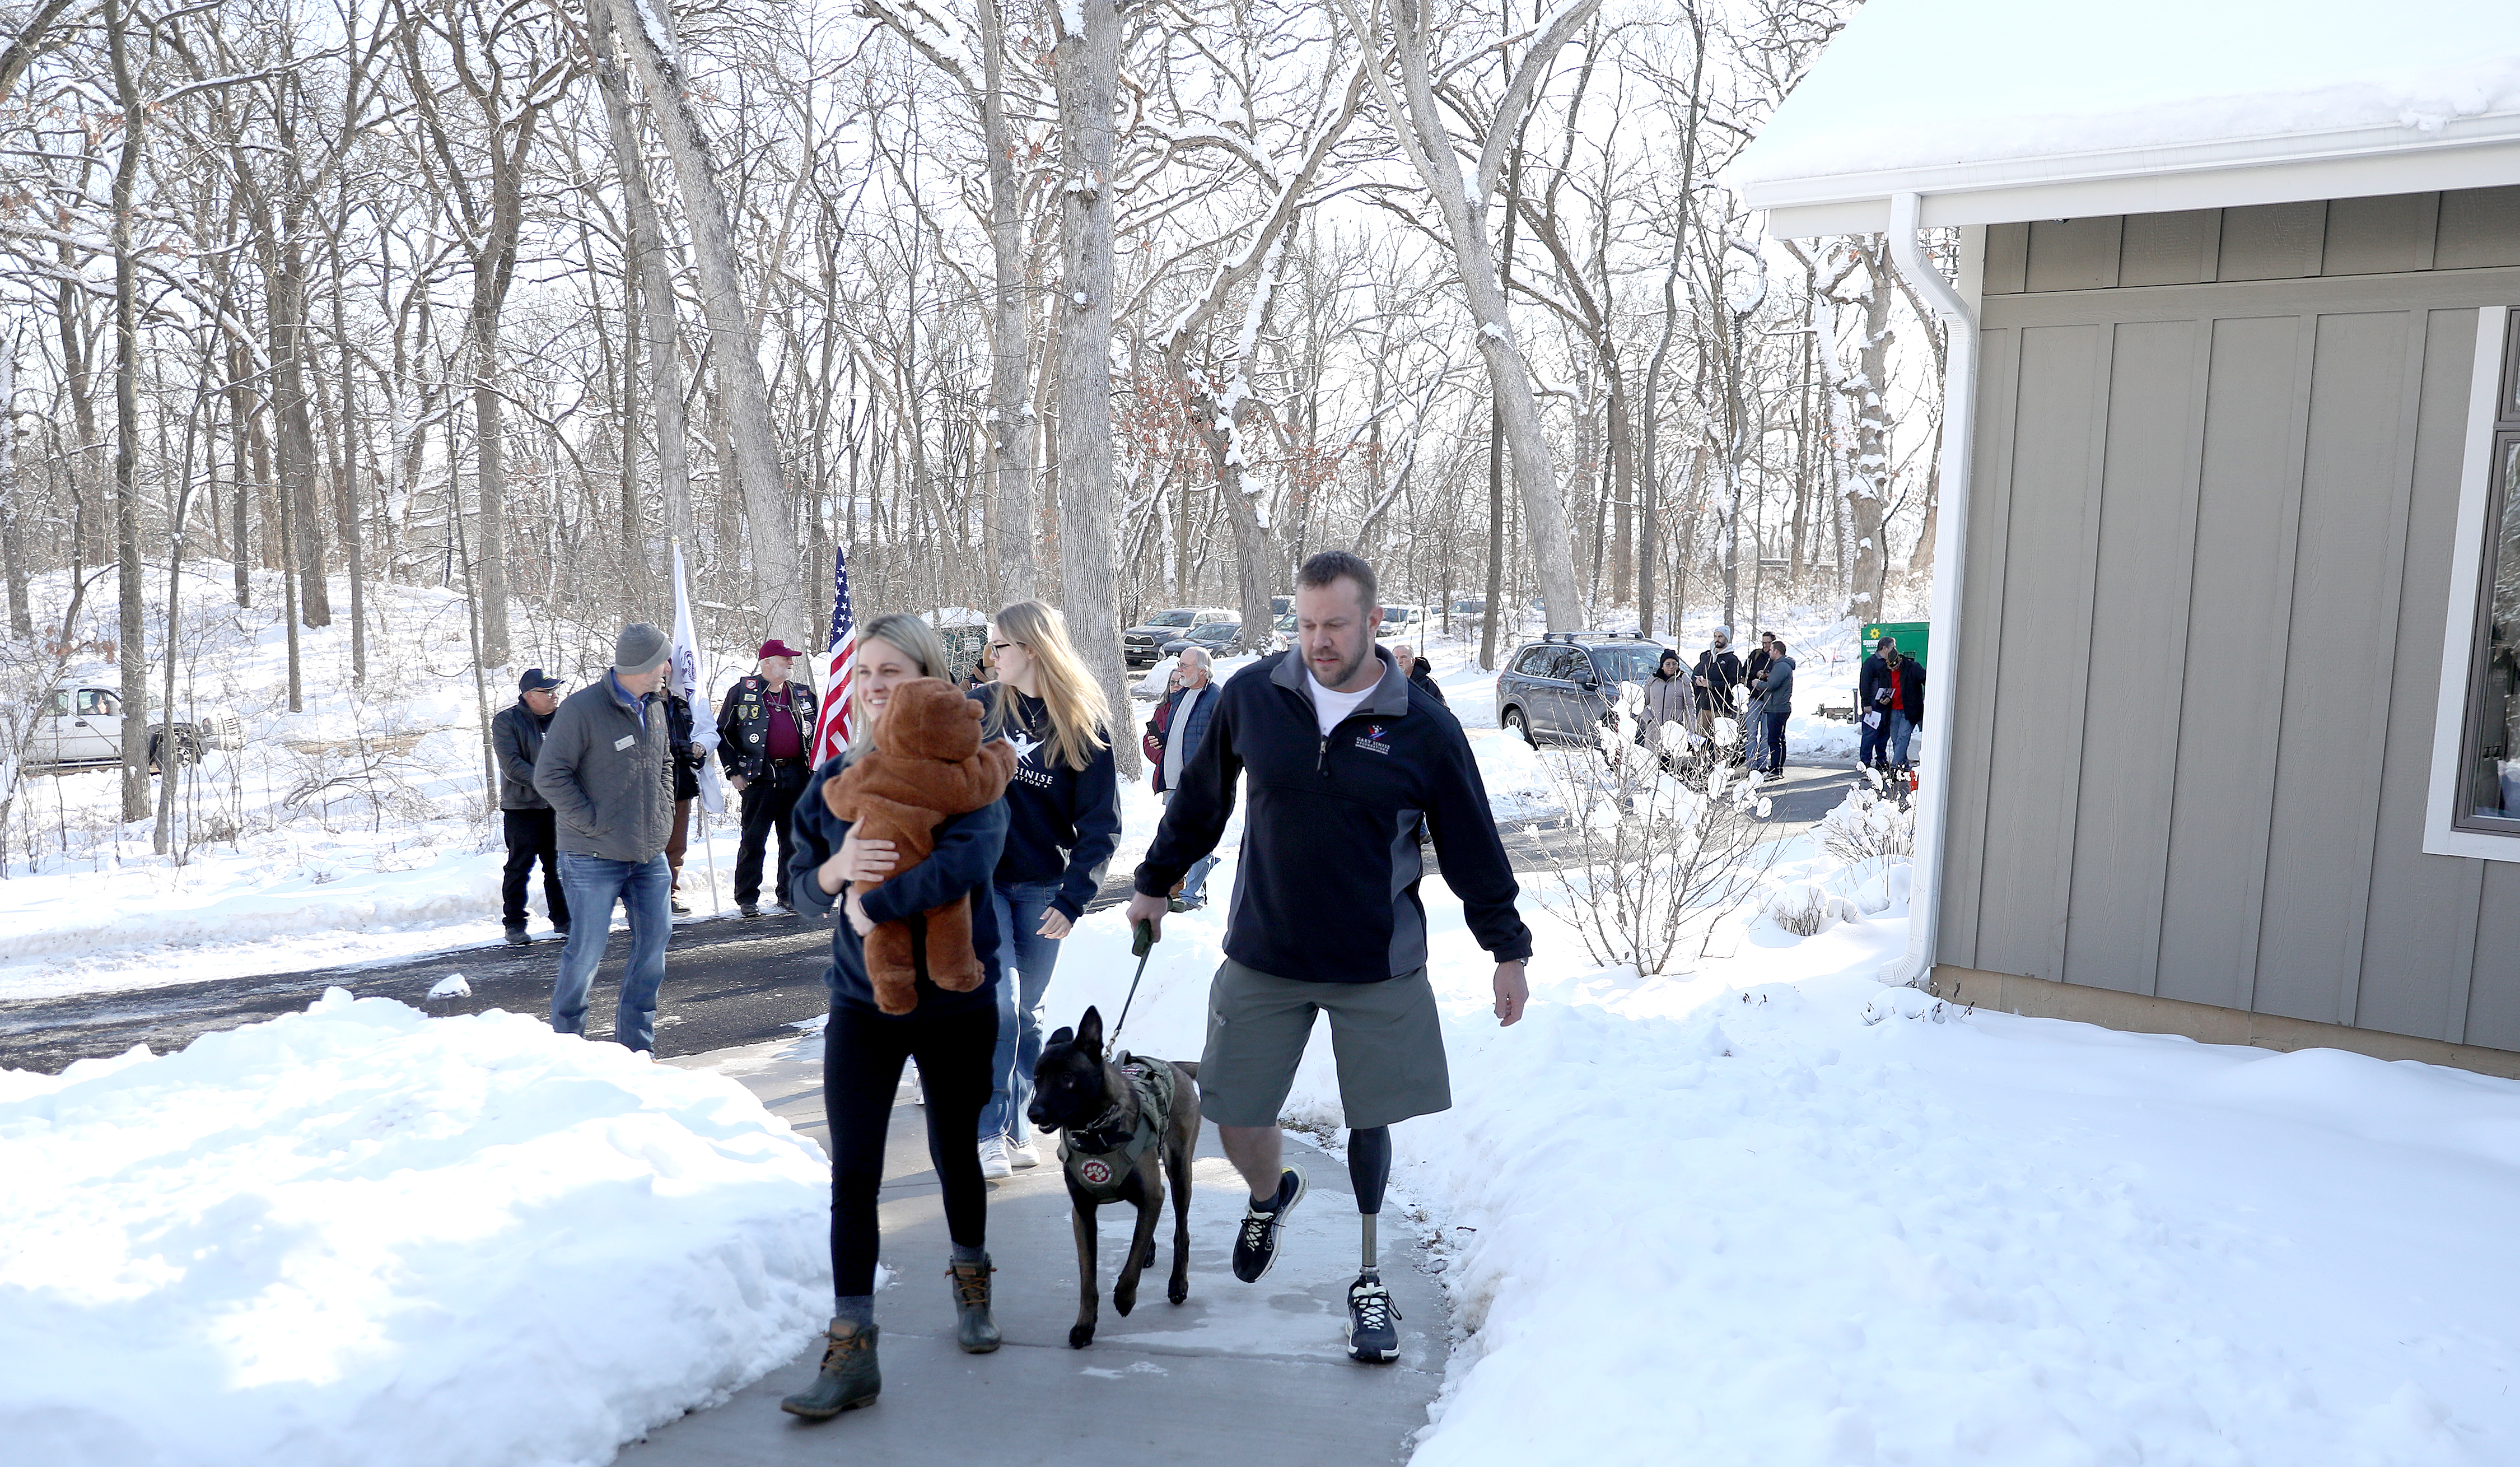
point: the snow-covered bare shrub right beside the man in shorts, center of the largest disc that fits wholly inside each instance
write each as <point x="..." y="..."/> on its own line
<point x="1647" y="861"/>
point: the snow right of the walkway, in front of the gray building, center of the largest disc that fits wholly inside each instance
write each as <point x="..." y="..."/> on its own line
<point x="1773" y="1214"/>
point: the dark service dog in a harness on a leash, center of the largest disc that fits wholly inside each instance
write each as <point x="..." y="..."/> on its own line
<point x="1125" y="1125"/>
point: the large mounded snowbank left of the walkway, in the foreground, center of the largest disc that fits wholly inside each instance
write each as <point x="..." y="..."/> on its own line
<point x="367" y="1236"/>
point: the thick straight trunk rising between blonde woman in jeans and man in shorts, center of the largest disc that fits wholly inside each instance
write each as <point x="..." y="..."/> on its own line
<point x="1087" y="72"/>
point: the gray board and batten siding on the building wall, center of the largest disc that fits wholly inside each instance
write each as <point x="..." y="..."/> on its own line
<point x="2219" y="465"/>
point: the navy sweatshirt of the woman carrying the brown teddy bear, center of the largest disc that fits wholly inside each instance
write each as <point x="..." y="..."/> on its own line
<point x="959" y="866"/>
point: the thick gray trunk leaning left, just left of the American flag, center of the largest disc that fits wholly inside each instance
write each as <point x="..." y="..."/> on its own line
<point x="777" y="573"/>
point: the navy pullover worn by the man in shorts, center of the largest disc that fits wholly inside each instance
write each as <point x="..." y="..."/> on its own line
<point x="1329" y="876"/>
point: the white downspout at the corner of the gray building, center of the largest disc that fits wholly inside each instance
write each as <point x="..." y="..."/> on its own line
<point x="1949" y="566"/>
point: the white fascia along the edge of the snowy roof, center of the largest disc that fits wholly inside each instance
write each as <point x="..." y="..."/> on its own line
<point x="2350" y="165"/>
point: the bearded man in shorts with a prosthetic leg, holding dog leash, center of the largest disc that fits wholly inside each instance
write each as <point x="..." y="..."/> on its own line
<point x="1344" y="760"/>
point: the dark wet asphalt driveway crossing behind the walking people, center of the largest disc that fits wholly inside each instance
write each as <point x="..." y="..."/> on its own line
<point x="727" y="979"/>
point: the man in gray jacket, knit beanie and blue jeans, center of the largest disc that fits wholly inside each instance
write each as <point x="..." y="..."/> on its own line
<point x="609" y="770"/>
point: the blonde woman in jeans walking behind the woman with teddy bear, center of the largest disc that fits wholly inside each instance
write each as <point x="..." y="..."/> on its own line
<point x="1062" y="826"/>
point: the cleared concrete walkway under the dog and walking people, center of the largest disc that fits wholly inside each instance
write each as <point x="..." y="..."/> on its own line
<point x="1236" y="1375"/>
